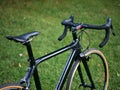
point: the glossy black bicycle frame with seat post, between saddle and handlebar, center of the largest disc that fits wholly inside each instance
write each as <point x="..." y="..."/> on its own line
<point x="32" y="70"/>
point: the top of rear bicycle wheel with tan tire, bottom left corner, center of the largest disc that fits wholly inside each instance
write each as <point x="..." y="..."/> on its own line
<point x="12" y="86"/>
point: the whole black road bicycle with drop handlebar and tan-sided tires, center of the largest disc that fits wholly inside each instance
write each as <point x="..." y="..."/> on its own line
<point x="83" y="69"/>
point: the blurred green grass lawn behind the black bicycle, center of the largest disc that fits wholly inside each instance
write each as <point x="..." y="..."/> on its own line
<point x="21" y="16"/>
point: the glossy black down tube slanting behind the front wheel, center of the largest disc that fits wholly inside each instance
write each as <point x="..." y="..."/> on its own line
<point x="65" y="72"/>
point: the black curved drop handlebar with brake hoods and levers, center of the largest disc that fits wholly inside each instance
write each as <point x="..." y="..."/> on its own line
<point x="68" y="23"/>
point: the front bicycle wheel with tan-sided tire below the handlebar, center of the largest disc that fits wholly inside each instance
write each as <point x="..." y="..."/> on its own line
<point x="98" y="68"/>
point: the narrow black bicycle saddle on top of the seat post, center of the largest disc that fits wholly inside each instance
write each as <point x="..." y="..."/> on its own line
<point x="24" y="38"/>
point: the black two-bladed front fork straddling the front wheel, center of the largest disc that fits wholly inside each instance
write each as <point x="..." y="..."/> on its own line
<point x="92" y="86"/>
